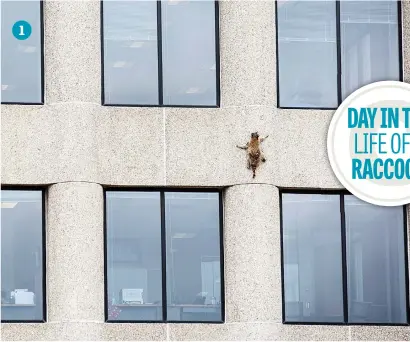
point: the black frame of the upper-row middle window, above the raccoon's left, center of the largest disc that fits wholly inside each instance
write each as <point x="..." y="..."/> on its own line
<point x="160" y="64"/>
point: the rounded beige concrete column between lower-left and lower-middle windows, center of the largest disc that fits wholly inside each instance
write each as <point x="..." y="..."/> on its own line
<point x="75" y="256"/>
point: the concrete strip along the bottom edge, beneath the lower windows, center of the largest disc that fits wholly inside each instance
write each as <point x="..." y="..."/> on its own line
<point x="252" y="331"/>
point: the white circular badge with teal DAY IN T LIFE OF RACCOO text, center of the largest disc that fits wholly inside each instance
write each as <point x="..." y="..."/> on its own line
<point x="368" y="143"/>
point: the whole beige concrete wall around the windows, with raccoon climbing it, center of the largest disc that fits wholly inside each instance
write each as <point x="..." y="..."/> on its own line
<point x="77" y="146"/>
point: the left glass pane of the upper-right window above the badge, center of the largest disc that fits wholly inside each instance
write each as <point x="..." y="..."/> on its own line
<point x="307" y="53"/>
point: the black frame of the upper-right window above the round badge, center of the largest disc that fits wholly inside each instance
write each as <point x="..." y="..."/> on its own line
<point x="339" y="55"/>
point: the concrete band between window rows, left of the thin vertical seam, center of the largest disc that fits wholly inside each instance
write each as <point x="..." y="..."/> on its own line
<point x="82" y="142"/>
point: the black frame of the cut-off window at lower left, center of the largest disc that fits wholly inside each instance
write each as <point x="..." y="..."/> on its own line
<point x="43" y="241"/>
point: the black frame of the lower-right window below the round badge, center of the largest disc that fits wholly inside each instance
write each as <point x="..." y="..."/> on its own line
<point x="342" y="193"/>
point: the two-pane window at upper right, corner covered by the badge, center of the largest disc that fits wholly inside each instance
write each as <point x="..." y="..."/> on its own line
<point x="368" y="51"/>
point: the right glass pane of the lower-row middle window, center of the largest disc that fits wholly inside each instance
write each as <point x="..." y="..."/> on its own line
<point x="193" y="256"/>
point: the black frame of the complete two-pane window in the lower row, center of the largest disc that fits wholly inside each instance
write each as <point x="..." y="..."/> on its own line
<point x="164" y="303"/>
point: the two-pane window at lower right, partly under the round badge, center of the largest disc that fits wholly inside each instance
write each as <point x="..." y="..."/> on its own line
<point x="344" y="260"/>
